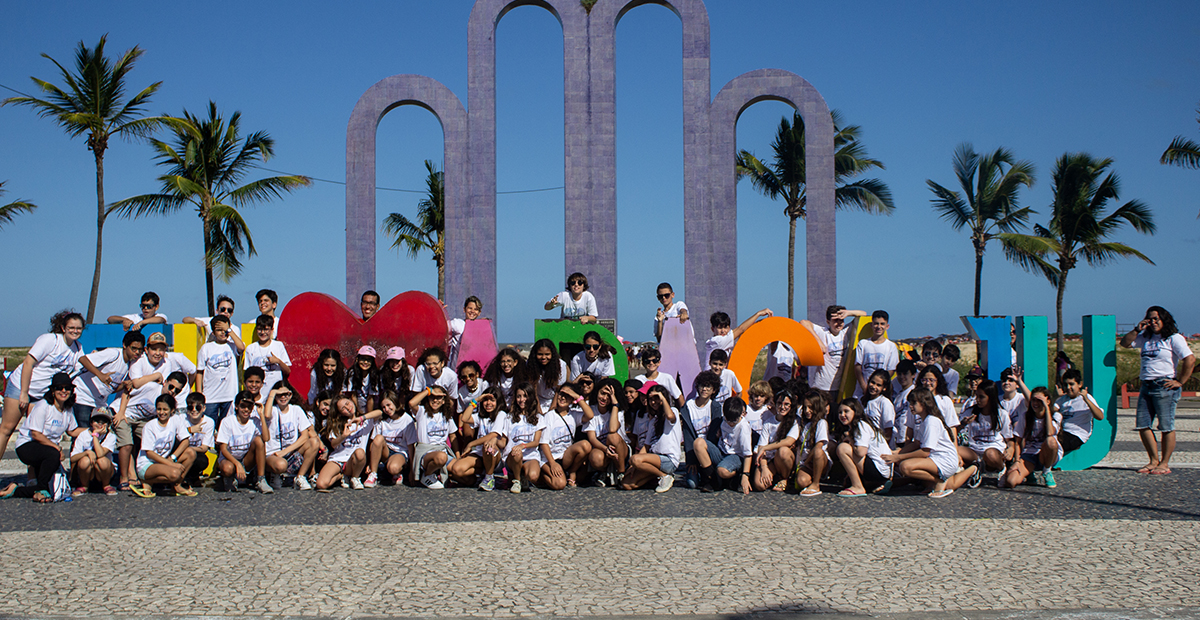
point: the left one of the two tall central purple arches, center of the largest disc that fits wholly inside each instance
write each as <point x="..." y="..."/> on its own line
<point x="473" y="258"/>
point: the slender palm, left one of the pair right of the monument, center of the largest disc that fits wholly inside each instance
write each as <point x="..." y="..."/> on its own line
<point x="988" y="203"/>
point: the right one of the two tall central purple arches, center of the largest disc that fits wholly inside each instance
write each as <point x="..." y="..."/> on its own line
<point x="603" y="127"/>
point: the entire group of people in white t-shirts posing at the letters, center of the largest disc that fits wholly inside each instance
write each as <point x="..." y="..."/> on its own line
<point x="148" y="420"/>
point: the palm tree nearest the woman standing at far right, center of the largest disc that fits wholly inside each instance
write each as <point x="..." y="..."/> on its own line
<point x="1078" y="225"/>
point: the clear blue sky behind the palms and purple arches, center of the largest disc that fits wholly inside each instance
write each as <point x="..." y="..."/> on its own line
<point x="1115" y="80"/>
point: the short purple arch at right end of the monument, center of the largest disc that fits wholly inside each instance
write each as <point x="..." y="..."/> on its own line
<point x="716" y="272"/>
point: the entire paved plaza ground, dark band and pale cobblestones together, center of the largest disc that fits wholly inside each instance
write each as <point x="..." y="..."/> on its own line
<point x="1106" y="544"/>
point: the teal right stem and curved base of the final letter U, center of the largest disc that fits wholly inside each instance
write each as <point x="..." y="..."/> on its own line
<point x="1100" y="380"/>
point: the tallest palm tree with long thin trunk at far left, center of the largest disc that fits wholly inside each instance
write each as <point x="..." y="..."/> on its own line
<point x="93" y="103"/>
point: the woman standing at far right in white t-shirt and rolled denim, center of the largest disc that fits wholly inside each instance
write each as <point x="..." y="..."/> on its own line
<point x="1163" y="352"/>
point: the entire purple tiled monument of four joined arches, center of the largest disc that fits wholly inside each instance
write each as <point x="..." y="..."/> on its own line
<point x="591" y="162"/>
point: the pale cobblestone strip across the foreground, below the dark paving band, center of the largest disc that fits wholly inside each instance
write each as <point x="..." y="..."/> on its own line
<point x="638" y="567"/>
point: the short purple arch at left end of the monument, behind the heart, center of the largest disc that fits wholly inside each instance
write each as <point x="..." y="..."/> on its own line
<point x="361" y="170"/>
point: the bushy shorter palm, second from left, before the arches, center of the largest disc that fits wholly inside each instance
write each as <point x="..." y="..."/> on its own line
<point x="206" y="162"/>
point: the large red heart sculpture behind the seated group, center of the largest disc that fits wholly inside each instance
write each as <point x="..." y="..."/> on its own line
<point x="314" y="322"/>
